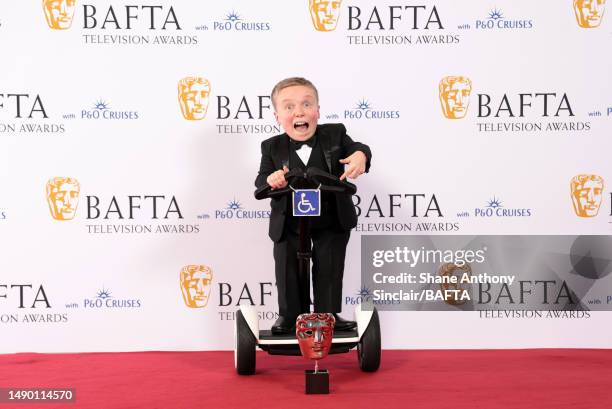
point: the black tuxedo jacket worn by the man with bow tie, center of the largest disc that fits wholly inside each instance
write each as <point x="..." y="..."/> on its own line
<point x="336" y="145"/>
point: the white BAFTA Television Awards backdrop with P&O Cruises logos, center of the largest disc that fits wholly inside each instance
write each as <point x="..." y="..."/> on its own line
<point x="130" y="135"/>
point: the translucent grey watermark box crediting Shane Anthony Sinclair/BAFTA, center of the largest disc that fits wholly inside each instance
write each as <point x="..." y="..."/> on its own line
<point x="471" y="273"/>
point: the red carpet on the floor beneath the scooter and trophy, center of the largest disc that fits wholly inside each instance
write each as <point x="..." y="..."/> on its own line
<point x="454" y="379"/>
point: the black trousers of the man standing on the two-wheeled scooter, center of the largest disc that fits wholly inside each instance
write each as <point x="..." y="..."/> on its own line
<point x="328" y="254"/>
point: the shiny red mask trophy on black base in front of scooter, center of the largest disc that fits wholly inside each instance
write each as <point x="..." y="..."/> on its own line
<point x="315" y="332"/>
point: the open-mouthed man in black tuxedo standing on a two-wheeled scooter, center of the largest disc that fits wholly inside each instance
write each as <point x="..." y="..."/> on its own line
<point x="327" y="147"/>
